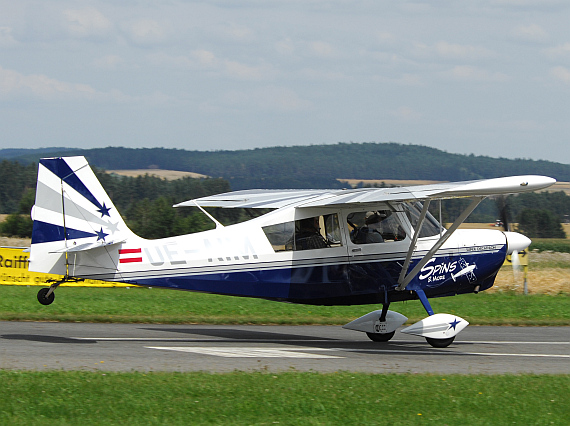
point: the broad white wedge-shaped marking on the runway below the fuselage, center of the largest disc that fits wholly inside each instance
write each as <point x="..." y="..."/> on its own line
<point x="249" y="352"/>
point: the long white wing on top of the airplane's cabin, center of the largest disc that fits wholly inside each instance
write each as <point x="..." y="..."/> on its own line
<point x="363" y="196"/>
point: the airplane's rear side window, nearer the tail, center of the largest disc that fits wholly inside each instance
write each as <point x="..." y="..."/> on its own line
<point x="305" y="234"/>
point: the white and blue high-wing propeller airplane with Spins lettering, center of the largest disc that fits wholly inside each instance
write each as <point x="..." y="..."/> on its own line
<point x="317" y="247"/>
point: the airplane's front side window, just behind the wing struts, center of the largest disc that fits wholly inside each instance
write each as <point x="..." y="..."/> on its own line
<point x="378" y="226"/>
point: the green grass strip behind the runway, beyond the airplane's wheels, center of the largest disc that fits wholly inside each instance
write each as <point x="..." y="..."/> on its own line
<point x="143" y="305"/>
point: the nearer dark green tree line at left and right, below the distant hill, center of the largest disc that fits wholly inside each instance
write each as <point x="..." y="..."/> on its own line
<point x="146" y="204"/>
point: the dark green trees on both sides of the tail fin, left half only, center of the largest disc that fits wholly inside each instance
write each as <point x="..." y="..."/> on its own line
<point x="145" y="202"/>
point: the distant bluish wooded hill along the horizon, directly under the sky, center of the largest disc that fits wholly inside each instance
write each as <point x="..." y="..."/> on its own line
<point x="317" y="166"/>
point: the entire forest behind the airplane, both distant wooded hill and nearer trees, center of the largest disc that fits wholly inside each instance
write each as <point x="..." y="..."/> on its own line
<point x="146" y="201"/>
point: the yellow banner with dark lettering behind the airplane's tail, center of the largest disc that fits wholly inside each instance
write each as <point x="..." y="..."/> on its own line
<point x="14" y="271"/>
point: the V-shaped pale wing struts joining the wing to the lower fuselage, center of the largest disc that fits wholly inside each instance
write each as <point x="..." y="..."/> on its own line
<point x="404" y="279"/>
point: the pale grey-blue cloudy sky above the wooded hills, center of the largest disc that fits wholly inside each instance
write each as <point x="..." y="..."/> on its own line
<point x="483" y="77"/>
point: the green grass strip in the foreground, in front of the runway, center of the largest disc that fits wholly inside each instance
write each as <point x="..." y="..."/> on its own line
<point x="292" y="398"/>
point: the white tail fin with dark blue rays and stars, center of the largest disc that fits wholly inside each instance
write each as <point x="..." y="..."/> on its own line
<point x="75" y="221"/>
